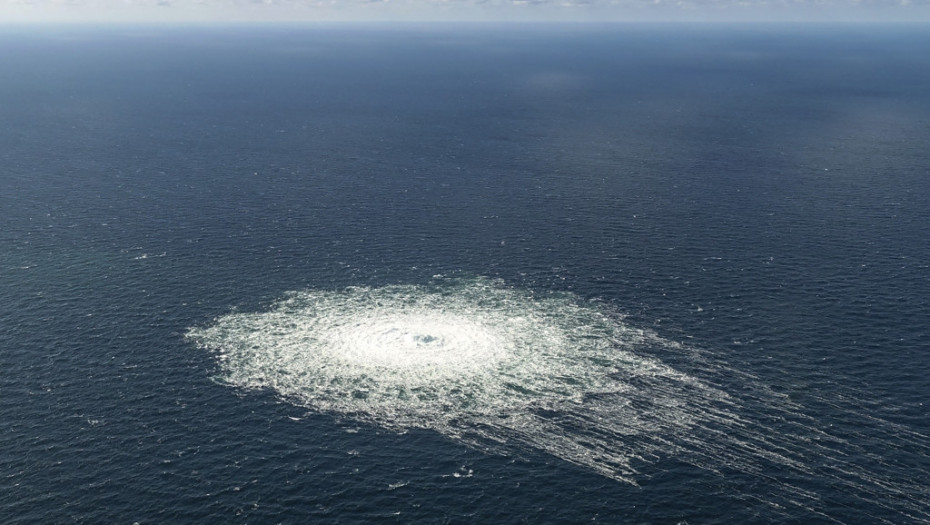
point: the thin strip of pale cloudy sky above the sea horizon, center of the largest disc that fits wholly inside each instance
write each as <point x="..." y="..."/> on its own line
<point x="463" y="10"/>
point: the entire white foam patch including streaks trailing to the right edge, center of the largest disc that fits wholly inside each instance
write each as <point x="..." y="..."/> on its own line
<point x="503" y="369"/>
